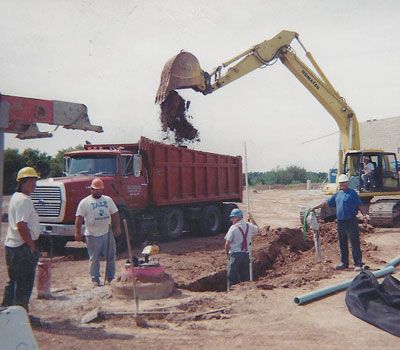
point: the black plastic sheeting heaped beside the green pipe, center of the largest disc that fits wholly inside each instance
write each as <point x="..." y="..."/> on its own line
<point x="377" y="304"/>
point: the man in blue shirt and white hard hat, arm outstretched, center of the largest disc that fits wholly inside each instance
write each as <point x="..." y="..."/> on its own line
<point x="347" y="203"/>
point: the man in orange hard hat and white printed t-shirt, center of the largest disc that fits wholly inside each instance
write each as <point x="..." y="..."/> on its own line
<point x="99" y="213"/>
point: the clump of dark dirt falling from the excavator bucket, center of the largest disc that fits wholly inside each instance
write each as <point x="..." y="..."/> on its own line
<point x="174" y="118"/>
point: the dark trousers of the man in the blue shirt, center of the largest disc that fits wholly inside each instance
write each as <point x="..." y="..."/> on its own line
<point x="348" y="230"/>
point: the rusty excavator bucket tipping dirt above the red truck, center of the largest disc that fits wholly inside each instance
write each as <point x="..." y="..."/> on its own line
<point x="180" y="72"/>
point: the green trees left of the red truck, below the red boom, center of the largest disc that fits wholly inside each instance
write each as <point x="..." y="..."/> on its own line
<point x="46" y="165"/>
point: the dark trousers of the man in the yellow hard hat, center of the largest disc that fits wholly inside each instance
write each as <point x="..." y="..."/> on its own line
<point x="21" y="266"/>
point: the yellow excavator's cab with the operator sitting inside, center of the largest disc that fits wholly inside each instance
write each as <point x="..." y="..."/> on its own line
<point x="383" y="175"/>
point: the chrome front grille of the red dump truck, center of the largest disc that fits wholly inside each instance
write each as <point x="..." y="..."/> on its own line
<point x="47" y="201"/>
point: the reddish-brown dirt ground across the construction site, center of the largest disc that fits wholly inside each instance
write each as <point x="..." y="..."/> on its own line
<point x="255" y="315"/>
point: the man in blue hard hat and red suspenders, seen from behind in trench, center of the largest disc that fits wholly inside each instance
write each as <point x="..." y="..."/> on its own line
<point x="238" y="247"/>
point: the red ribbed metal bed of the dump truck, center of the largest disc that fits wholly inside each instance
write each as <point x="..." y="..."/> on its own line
<point x="178" y="175"/>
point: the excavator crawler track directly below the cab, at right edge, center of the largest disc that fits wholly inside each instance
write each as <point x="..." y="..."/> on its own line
<point x="384" y="212"/>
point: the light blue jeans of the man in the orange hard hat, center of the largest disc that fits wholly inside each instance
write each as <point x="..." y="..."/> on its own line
<point x="97" y="247"/>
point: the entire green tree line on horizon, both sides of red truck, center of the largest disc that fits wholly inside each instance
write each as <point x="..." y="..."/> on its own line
<point x="49" y="166"/>
